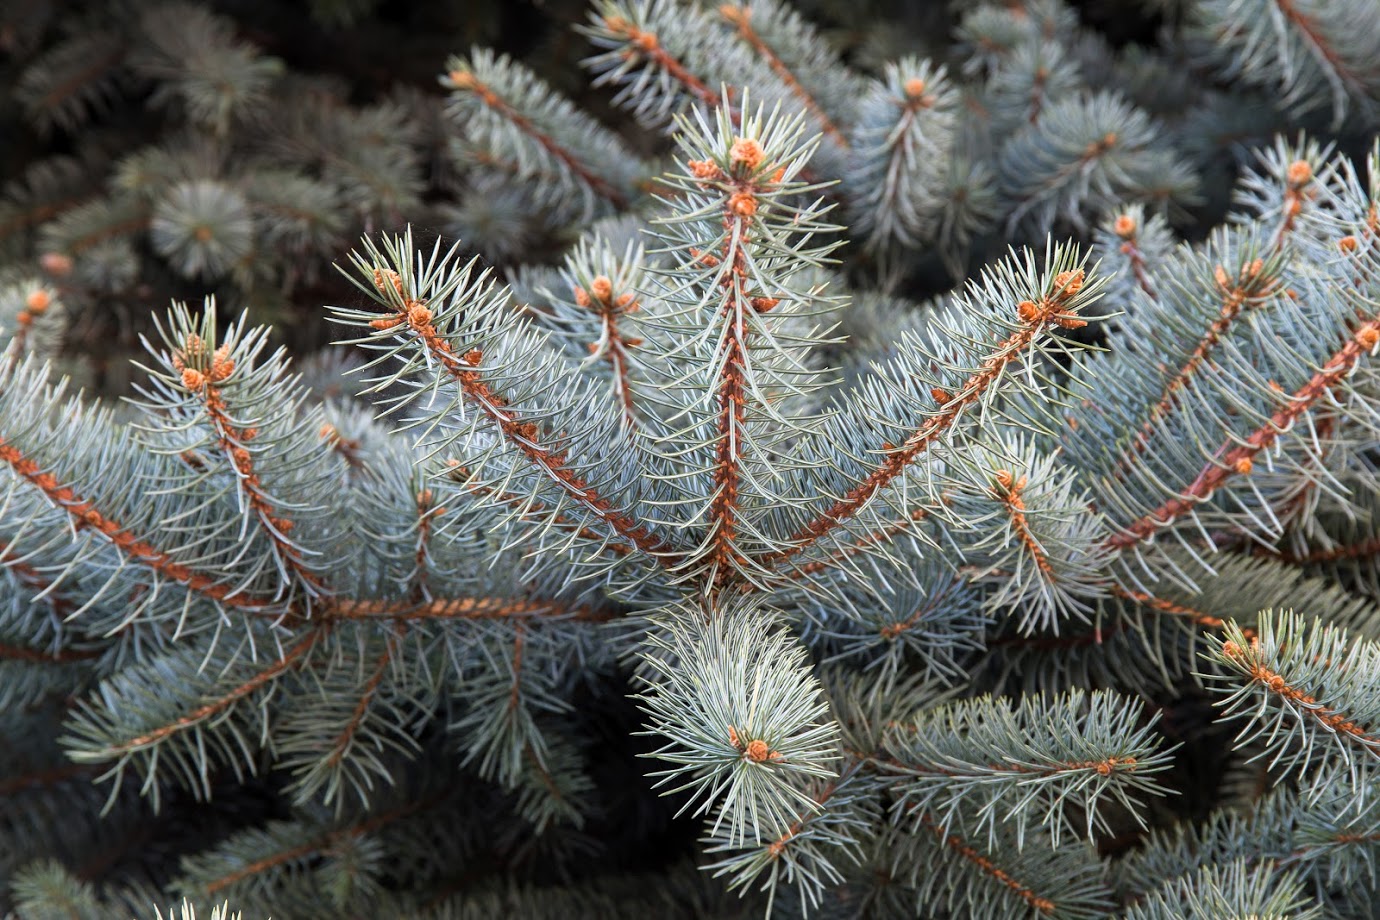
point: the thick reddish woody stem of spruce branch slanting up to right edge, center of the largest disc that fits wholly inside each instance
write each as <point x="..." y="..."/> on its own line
<point x="1236" y="459"/>
